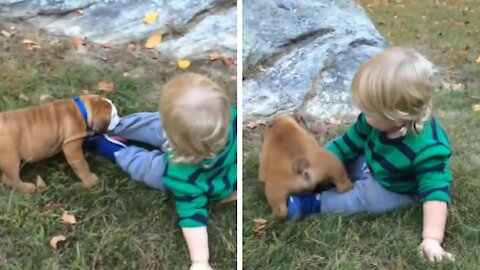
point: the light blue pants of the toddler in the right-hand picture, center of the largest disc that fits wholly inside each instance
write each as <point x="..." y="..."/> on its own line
<point x="367" y="195"/>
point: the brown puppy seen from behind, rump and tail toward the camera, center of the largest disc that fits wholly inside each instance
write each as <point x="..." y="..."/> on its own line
<point x="292" y="162"/>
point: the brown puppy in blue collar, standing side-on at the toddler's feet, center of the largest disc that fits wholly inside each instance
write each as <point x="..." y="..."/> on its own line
<point x="35" y="133"/>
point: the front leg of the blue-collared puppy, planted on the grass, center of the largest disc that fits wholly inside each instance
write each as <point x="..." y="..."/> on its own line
<point x="75" y="158"/>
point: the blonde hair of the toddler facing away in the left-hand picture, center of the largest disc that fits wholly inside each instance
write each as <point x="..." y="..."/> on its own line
<point x="196" y="118"/>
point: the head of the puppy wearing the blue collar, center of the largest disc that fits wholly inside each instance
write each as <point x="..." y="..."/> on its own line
<point x="104" y="115"/>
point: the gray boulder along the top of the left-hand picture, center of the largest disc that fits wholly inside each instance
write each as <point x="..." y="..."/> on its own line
<point x="193" y="28"/>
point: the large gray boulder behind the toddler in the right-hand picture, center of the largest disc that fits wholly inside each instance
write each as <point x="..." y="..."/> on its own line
<point x="310" y="50"/>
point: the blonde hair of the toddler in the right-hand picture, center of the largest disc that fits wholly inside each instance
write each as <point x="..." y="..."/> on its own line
<point x="396" y="84"/>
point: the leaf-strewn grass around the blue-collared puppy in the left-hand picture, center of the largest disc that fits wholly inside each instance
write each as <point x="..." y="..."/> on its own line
<point x="121" y="224"/>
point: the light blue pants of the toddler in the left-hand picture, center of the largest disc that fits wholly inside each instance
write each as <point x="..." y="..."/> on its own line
<point x="141" y="164"/>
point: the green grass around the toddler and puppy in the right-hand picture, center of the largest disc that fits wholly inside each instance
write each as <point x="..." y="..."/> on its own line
<point x="388" y="241"/>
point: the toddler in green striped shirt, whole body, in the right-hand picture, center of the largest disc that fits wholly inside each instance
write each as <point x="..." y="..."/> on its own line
<point x="396" y="152"/>
